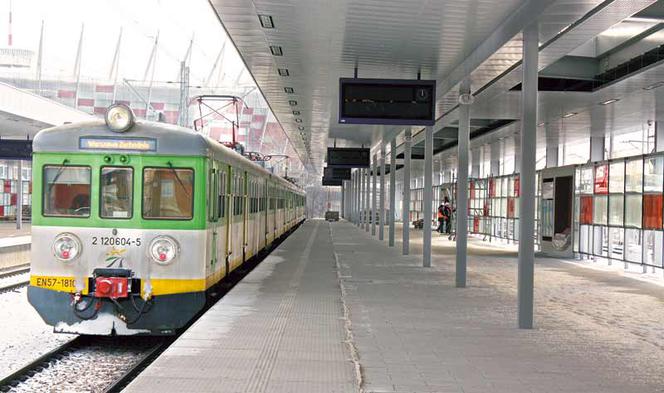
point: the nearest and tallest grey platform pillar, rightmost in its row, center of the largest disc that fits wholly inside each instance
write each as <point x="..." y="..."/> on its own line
<point x="526" y="272"/>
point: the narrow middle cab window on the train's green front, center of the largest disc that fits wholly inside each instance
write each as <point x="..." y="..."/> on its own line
<point x="116" y="192"/>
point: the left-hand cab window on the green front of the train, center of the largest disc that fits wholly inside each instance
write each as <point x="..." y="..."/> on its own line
<point x="66" y="191"/>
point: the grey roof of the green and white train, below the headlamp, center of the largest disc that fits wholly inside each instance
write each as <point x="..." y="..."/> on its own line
<point x="164" y="139"/>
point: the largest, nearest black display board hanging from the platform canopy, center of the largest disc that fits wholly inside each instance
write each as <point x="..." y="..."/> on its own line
<point x="387" y="101"/>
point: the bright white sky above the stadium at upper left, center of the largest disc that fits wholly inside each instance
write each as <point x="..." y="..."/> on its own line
<point x="175" y="21"/>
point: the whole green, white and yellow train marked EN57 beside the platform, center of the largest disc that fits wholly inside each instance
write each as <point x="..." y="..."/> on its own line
<point x="135" y="223"/>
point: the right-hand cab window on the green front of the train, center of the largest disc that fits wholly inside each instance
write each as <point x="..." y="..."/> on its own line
<point x="168" y="193"/>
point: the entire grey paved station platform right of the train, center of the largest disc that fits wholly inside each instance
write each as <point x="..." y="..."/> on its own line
<point x="334" y="310"/>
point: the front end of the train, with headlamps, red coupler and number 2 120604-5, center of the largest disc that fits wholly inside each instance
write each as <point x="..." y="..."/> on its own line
<point x="117" y="248"/>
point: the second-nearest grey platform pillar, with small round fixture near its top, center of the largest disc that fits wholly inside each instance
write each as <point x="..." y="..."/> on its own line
<point x="462" y="190"/>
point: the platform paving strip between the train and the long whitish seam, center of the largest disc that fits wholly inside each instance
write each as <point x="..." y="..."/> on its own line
<point x="280" y="330"/>
